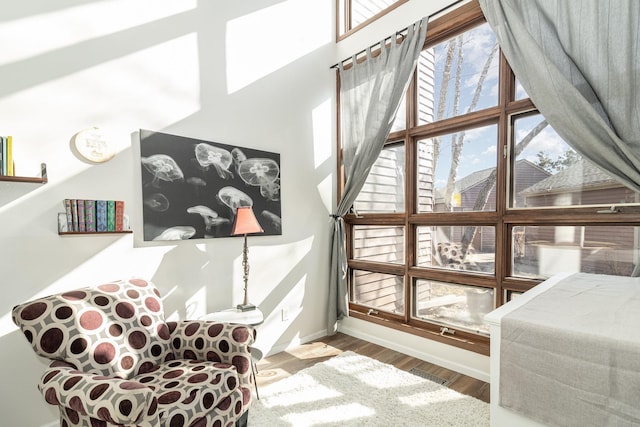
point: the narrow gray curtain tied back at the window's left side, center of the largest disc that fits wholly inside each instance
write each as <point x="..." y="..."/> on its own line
<point x="370" y="94"/>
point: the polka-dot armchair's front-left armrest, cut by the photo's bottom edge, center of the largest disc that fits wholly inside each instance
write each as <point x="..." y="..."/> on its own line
<point x="114" y="400"/>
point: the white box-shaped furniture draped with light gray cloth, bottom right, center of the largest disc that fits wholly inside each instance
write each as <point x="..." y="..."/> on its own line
<point x="571" y="355"/>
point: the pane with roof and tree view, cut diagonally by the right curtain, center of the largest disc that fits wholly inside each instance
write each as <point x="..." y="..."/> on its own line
<point x="549" y="173"/>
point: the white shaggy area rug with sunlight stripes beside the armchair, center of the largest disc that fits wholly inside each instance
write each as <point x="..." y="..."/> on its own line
<point x="354" y="390"/>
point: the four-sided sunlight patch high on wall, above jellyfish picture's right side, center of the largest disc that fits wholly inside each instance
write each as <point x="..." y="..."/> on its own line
<point x="262" y="42"/>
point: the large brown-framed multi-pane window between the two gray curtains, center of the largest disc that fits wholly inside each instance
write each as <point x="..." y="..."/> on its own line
<point x="476" y="199"/>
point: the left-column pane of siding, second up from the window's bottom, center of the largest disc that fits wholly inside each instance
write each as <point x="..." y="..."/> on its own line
<point x="378" y="243"/>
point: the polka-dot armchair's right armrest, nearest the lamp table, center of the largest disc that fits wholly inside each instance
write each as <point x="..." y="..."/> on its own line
<point x="216" y="342"/>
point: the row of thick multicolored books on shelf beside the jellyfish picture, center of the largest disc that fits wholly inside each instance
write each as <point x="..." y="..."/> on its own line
<point x="95" y="215"/>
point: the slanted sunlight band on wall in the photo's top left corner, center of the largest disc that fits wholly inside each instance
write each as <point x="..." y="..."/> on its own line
<point x="43" y="33"/>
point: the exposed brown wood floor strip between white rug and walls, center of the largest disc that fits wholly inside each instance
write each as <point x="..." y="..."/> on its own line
<point x="286" y="363"/>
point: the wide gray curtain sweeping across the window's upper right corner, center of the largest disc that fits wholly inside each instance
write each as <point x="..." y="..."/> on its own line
<point x="579" y="61"/>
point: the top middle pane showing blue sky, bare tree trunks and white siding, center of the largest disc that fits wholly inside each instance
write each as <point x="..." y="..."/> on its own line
<point x="458" y="76"/>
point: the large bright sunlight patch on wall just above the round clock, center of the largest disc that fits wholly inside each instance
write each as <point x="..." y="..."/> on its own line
<point x="156" y="86"/>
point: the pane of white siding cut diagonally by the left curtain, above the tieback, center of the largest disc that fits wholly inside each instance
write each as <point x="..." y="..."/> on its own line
<point x="383" y="192"/>
